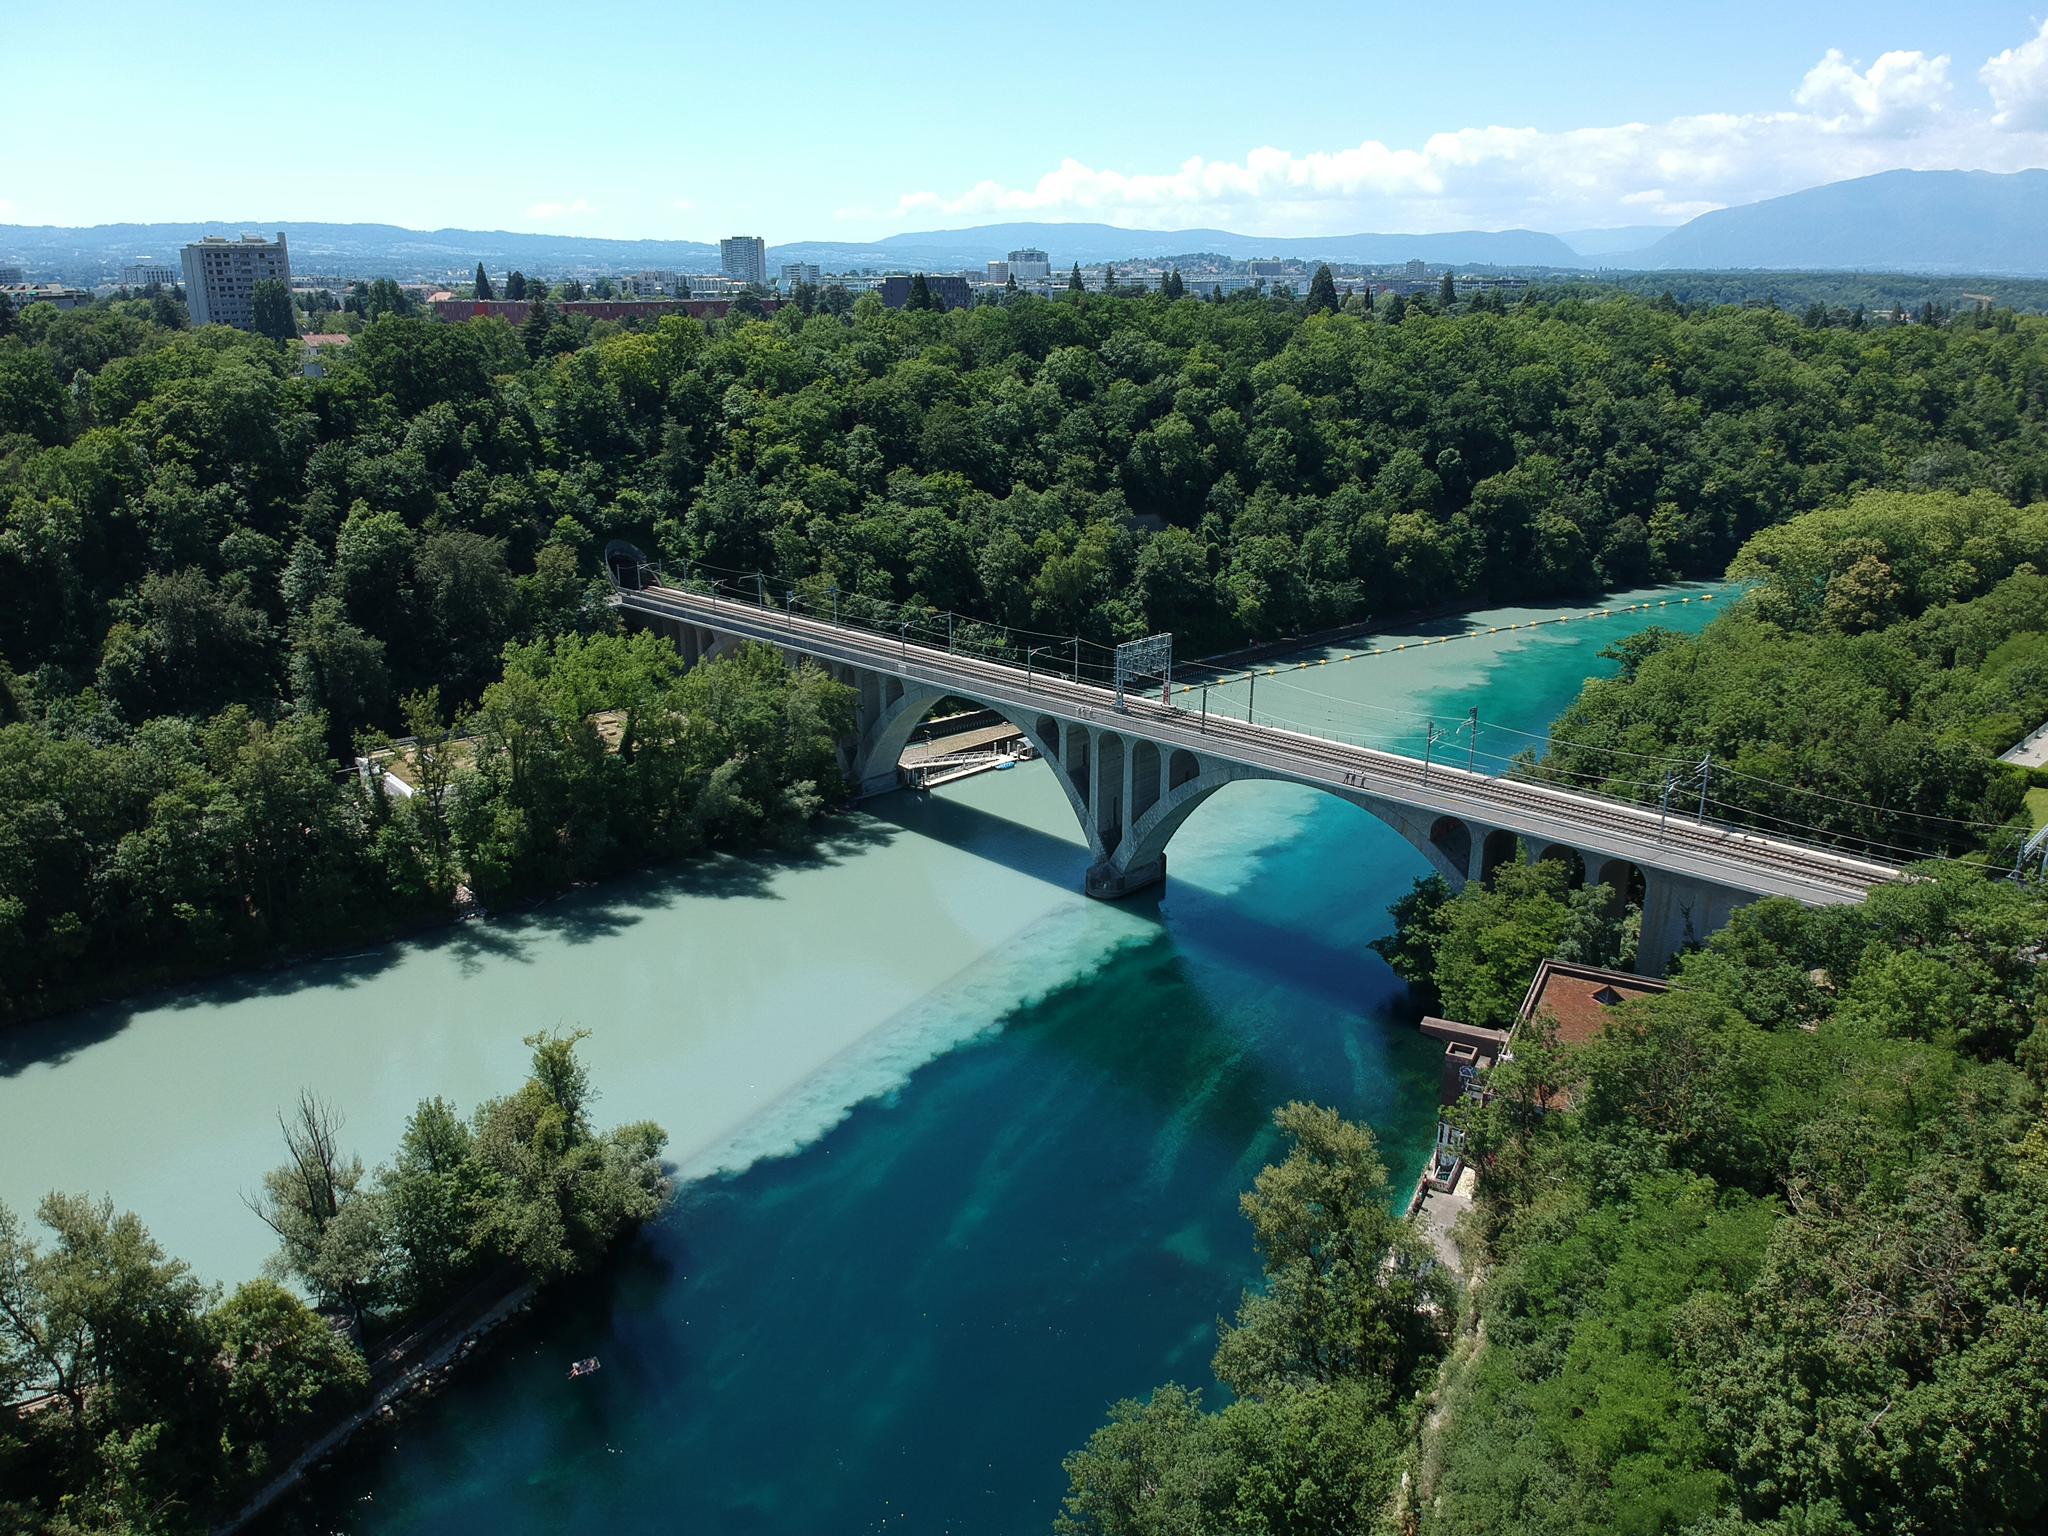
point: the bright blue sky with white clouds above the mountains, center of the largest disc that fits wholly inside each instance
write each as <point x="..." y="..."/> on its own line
<point x="845" y="122"/>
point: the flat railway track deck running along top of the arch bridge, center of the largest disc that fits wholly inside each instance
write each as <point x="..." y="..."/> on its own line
<point x="1625" y="828"/>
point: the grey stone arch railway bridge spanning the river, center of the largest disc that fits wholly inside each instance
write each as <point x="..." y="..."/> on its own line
<point x="1136" y="775"/>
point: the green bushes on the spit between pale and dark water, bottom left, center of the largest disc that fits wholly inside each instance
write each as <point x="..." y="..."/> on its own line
<point x="146" y="1402"/>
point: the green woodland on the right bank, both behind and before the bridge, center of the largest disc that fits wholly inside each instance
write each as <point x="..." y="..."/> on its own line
<point x="1773" y="1252"/>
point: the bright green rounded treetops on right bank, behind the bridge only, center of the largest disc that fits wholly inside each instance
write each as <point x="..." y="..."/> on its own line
<point x="1887" y="650"/>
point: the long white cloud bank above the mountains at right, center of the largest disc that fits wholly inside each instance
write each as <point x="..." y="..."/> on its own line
<point x="1844" y="120"/>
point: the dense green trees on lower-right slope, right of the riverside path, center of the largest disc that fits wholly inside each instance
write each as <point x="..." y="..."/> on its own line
<point x="1783" y="1269"/>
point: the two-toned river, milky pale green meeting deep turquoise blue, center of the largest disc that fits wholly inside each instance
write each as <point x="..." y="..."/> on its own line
<point x="962" y="1148"/>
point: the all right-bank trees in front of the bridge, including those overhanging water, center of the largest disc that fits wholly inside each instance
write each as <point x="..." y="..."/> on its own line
<point x="1783" y="1269"/>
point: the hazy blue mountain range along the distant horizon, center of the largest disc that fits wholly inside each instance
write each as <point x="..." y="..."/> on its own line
<point x="1895" y="222"/>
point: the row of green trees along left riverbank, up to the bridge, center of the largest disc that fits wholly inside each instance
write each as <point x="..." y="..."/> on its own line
<point x="202" y="847"/>
